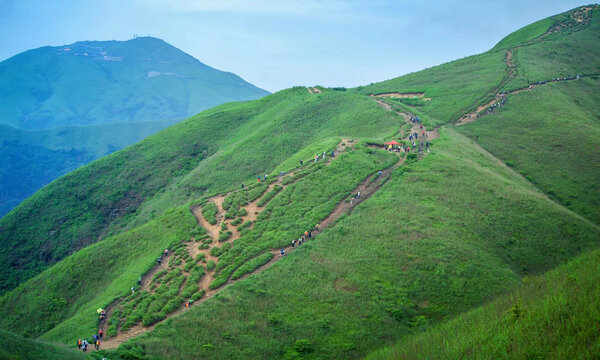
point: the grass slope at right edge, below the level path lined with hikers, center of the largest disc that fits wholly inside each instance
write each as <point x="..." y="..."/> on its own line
<point x="551" y="136"/>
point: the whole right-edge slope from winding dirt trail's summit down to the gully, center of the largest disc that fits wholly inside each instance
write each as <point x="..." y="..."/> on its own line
<point x="556" y="121"/>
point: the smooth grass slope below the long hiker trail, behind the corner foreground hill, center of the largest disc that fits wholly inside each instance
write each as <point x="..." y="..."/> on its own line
<point x="441" y="236"/>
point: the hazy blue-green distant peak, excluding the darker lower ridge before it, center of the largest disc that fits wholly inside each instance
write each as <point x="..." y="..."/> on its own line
<point x="95" y="82"/>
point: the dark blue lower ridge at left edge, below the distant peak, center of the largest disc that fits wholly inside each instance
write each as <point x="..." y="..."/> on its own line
<point x="32" y="159"/>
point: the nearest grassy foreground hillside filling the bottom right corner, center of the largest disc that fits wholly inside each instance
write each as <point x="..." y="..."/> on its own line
<point x="553" y="316"/>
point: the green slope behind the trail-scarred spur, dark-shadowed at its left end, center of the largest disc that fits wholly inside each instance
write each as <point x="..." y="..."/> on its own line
<point x="213" y="151"/>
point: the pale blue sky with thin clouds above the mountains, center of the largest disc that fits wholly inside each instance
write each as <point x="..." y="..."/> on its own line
<point x="282" y="43"/>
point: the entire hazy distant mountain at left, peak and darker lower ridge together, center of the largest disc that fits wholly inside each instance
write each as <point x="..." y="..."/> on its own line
<point x="65" y="106"/>
